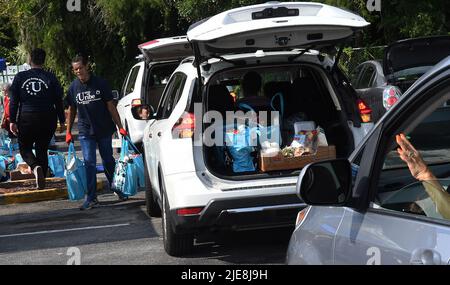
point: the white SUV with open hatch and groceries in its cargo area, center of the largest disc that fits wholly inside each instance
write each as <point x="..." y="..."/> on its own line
<point x="191" y="181"/>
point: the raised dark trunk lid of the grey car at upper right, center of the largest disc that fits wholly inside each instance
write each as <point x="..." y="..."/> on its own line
<point x="419" y="53"/>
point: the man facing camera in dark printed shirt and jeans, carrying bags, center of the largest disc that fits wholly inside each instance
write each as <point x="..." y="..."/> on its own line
<point x="91" y="97"/>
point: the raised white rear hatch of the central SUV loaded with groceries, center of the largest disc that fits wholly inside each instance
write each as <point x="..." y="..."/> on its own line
<point x="272" y="26"/>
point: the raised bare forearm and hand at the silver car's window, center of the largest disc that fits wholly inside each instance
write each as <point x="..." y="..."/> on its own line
<point x="421" y="172"/>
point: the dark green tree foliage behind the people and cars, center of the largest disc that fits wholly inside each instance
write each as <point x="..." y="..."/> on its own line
<point x="110" y="30"/>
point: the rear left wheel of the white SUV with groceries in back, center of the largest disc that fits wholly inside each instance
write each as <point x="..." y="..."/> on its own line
<point x="175" y="244"/>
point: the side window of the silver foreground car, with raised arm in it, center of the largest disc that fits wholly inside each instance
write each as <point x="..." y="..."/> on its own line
<point x="397" y="189"/>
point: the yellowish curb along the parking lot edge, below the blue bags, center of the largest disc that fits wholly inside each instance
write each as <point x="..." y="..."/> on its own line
<point x="39" y="195"/>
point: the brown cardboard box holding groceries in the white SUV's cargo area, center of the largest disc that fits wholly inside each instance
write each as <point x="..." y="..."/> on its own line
<point x="279" y="162"/>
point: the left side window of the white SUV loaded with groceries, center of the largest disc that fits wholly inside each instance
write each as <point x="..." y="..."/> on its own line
<point x="173" y="94"/>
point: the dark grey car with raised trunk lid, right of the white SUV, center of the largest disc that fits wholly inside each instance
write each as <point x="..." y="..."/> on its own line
<point x="380" y="83"/>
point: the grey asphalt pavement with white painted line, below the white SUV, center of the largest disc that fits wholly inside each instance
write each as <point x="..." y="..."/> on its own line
<point x="58" y="233"/>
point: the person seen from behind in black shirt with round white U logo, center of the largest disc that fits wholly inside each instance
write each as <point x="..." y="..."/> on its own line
<point x="36" y="102"/>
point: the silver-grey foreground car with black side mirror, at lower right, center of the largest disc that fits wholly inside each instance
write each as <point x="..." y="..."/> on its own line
<point x="368" y="209"/>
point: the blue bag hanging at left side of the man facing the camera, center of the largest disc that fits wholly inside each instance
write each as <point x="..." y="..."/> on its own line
<point x="75" y="175"/>
